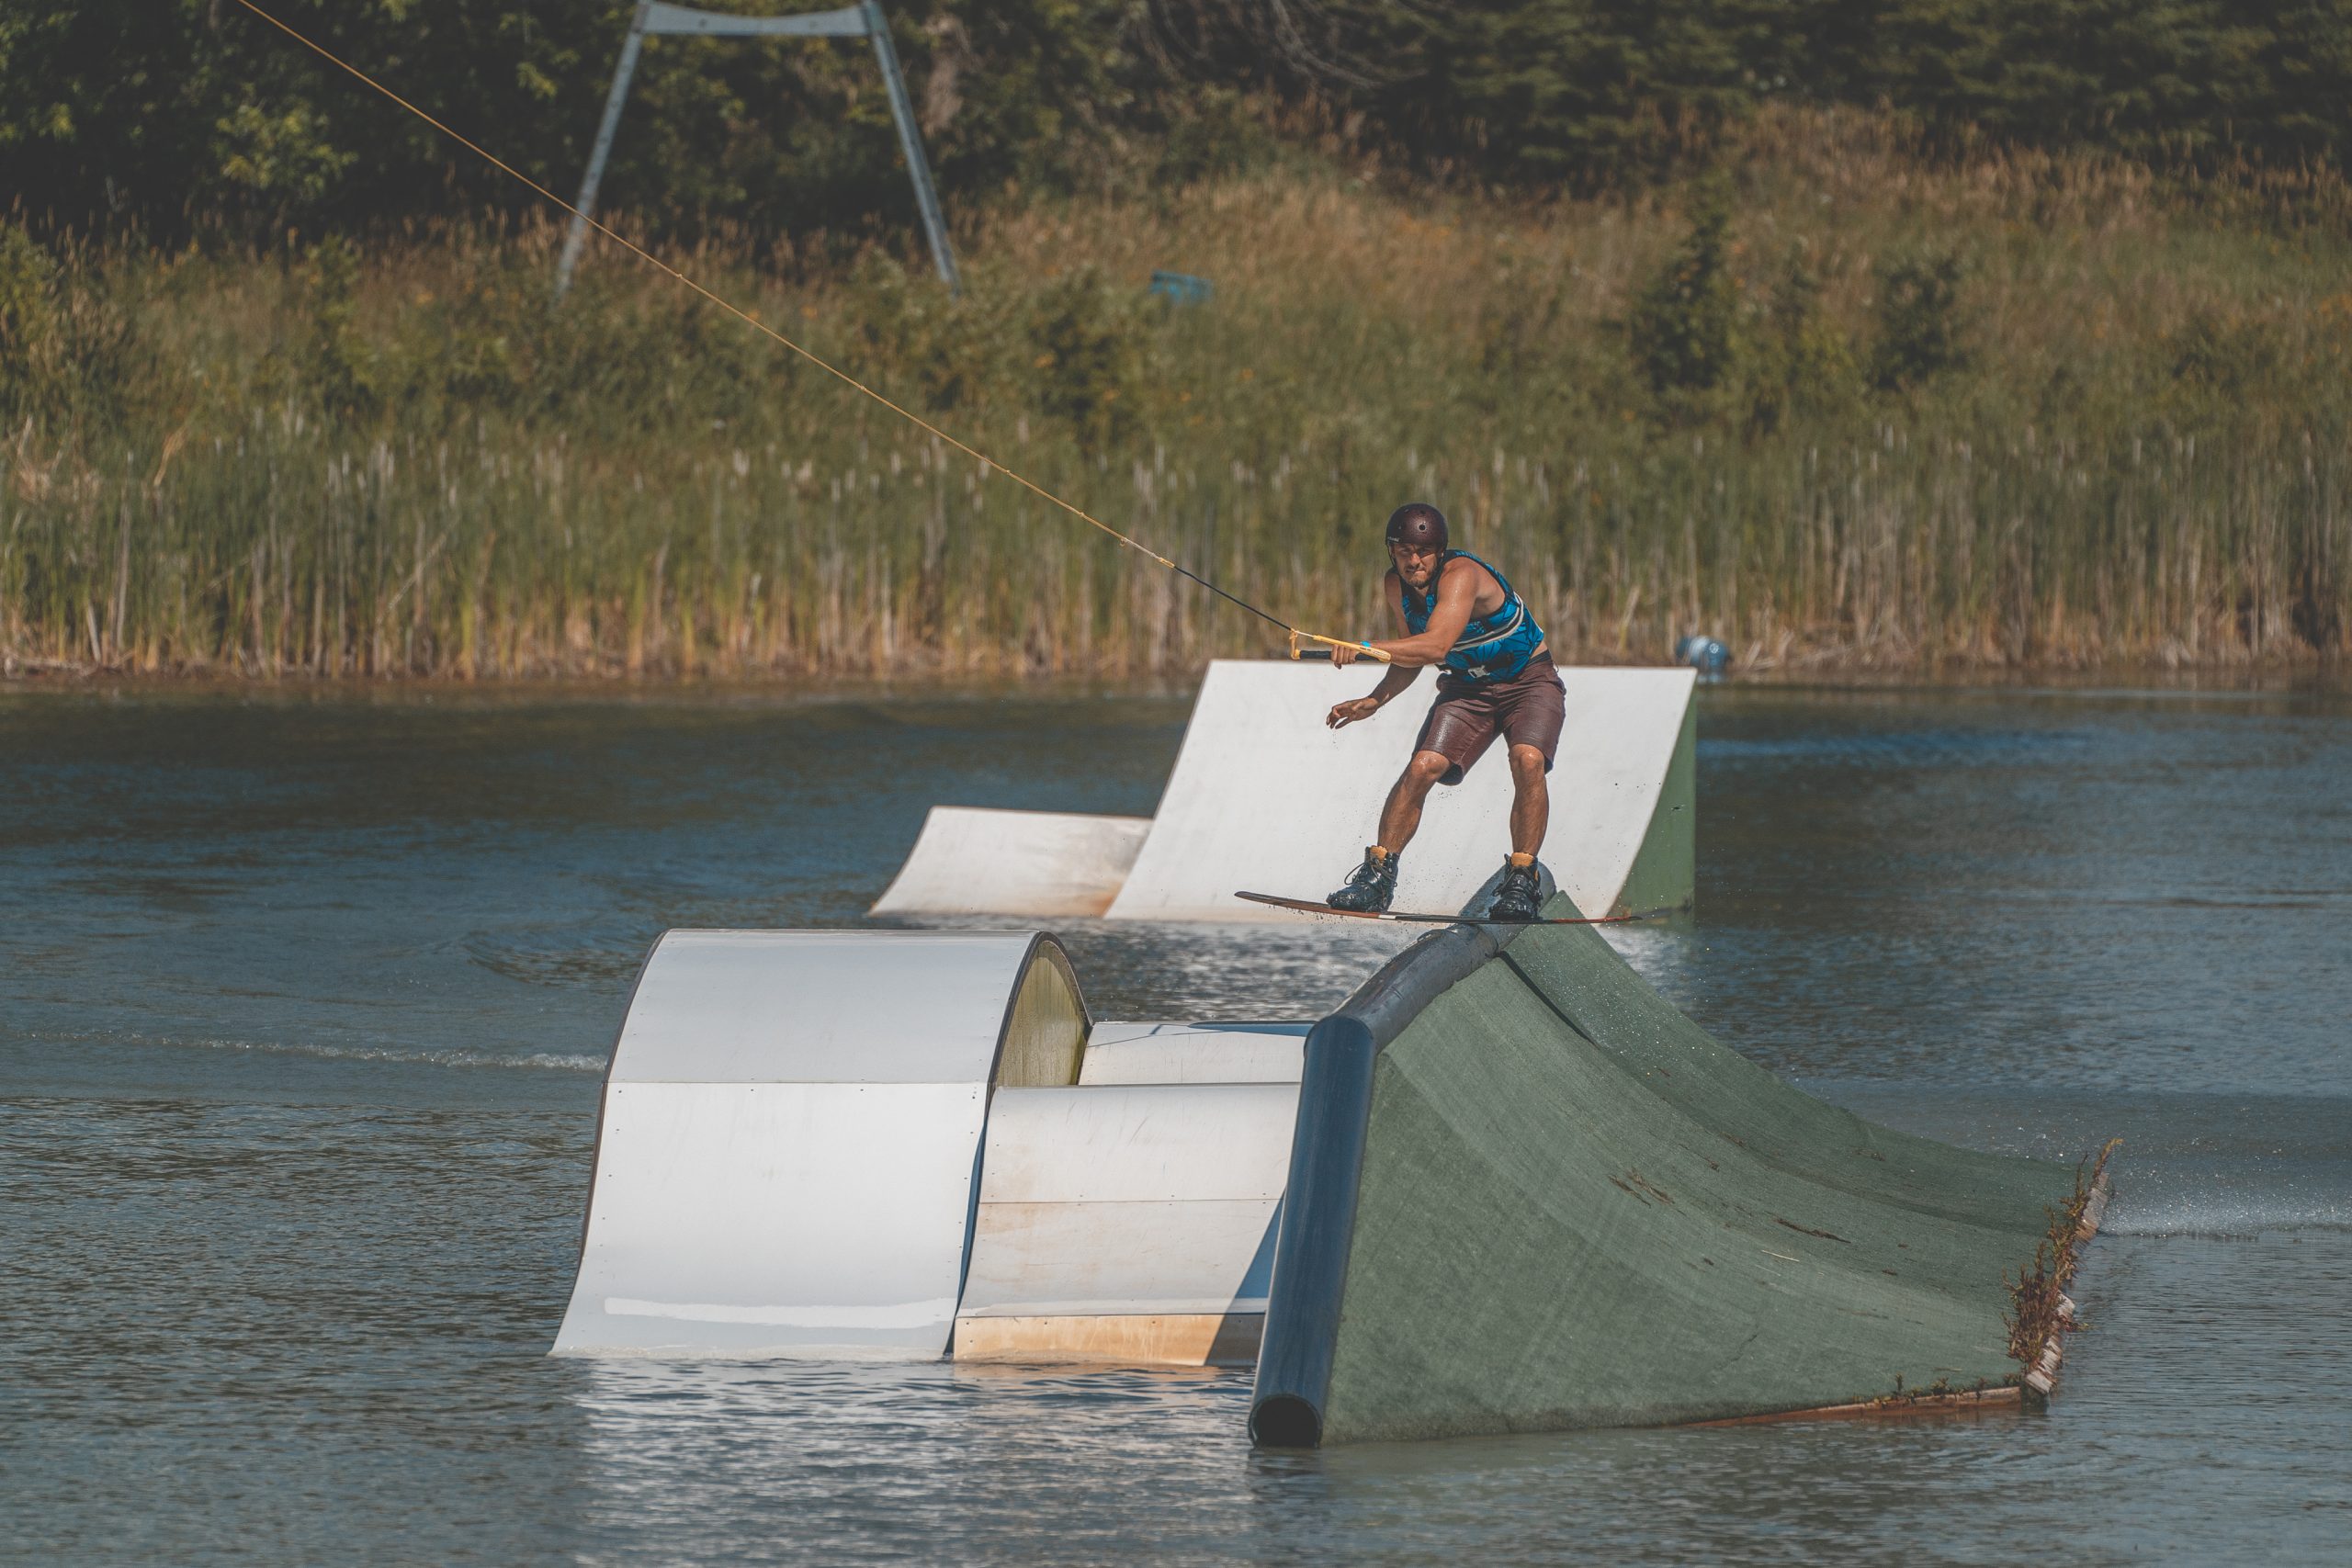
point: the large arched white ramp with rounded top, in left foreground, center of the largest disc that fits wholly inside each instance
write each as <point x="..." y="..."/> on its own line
<point x="789" y="1137"/>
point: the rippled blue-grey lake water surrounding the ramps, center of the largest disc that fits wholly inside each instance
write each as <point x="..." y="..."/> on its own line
<point x="305" y="1000"/>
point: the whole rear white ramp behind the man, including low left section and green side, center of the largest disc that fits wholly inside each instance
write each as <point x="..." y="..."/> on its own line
<point x="1269" y="798"/>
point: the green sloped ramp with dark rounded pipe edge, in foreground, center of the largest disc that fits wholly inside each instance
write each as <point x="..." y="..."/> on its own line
<point x="1532" y="1195"/>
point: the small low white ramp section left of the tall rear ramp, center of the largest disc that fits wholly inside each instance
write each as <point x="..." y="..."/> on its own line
<point x="1034" y="864"/>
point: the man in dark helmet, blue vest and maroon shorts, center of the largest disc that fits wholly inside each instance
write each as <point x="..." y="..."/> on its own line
<point x="1497" y="678"/>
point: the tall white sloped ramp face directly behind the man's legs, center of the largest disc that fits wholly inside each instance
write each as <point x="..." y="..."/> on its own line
<point x="1267" y="798"/>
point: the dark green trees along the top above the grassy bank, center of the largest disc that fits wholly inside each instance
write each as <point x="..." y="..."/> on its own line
<point x="171" y="116"/>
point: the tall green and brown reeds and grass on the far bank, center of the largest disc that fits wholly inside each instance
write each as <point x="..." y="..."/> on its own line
<point x="1840" y="403"/>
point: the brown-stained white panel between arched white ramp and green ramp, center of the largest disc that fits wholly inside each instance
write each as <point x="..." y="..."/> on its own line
<point x="1128" y="1224"/>
